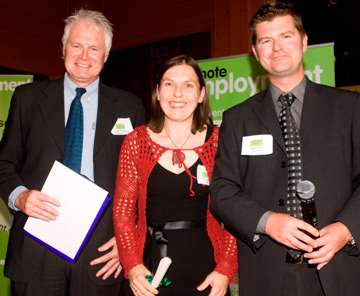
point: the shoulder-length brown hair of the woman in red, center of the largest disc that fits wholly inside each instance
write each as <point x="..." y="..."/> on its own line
<point x="202" y="113"/>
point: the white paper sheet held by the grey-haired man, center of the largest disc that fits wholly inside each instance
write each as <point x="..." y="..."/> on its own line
<point x="80" y="201"/>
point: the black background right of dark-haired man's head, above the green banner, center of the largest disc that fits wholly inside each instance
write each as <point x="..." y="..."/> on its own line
<point x="335" y="21"/>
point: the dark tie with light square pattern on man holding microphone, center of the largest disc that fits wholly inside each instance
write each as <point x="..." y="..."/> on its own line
<point x="291" y="136"/>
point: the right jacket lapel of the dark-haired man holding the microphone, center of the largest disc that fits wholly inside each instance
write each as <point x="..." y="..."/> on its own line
<point x="313" y="105"/>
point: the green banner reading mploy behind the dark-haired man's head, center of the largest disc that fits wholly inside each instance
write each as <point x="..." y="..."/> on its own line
<point x="231" y="80"/>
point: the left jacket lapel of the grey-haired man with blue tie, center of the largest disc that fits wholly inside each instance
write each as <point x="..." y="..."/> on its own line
<point x="52" y="108"/>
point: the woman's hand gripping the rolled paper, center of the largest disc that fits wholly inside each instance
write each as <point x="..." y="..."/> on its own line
<point x="138" y="283"/>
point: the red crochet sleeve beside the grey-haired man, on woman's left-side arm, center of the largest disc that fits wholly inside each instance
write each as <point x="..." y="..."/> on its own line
<point x="125" y="201"/>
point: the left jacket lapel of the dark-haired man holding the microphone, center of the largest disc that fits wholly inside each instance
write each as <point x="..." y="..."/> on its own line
<point x="267" y="115"/>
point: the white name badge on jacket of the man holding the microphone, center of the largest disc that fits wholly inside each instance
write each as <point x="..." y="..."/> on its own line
<point x="257" y="145"/>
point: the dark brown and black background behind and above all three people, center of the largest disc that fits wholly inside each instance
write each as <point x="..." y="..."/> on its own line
<point x="147" y="33"/>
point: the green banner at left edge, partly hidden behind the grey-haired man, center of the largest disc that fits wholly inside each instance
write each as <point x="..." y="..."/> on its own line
<point x="8" y="83"/>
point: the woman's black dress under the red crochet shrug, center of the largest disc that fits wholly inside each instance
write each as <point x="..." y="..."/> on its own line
<point x="190" y="249"/>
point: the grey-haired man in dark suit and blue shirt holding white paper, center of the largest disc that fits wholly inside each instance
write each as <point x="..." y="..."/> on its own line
<point x="35" y="137"/>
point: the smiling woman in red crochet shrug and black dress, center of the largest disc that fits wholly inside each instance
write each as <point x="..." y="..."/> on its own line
<point x="161" y="197"/>
